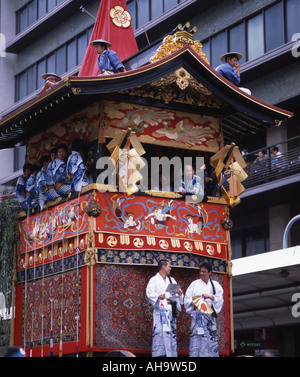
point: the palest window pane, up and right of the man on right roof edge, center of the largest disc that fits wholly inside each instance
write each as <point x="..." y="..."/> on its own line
<point x="255" y="35"/>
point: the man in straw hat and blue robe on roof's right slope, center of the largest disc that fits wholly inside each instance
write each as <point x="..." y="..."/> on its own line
<point x="230" y="68"/>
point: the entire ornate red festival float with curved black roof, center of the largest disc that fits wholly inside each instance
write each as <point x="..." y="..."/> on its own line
<point x="83" y="262"/>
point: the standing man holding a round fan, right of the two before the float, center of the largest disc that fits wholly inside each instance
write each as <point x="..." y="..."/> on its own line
<point x="203" y="301"/>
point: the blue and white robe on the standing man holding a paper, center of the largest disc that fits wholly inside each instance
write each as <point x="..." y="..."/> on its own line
<point x="164" y="331"/>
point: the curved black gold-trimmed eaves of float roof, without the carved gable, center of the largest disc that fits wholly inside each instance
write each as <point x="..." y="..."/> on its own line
<point x="55" y="103"/>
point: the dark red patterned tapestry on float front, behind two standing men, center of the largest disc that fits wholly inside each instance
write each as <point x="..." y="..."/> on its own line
<point x="123" y="315"/>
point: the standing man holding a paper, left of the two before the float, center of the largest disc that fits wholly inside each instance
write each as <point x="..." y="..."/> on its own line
<point x="165" y="304"/>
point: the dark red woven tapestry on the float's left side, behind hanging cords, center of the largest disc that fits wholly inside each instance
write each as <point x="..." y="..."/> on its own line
<point x="53" y="300"/>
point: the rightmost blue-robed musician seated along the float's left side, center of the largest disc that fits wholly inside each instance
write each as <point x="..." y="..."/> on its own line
<point x="76" y="172"/>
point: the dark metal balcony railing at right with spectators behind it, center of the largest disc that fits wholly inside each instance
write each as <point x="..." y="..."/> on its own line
<point x="267" y="166"/>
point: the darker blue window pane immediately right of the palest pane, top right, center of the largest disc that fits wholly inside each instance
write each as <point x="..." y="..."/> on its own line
<point x="274" y="27"/>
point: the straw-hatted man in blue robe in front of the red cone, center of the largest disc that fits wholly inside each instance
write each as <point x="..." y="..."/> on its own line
<point x="108" y="61"/>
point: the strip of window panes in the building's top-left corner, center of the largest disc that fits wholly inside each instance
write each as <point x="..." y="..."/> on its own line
<point x="32" y="11"/>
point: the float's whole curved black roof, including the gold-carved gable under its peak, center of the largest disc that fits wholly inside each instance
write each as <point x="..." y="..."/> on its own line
<point x="183" y="80"/>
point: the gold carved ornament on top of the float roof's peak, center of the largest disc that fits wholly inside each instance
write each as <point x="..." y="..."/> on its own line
<point x="181" y="37"/>
